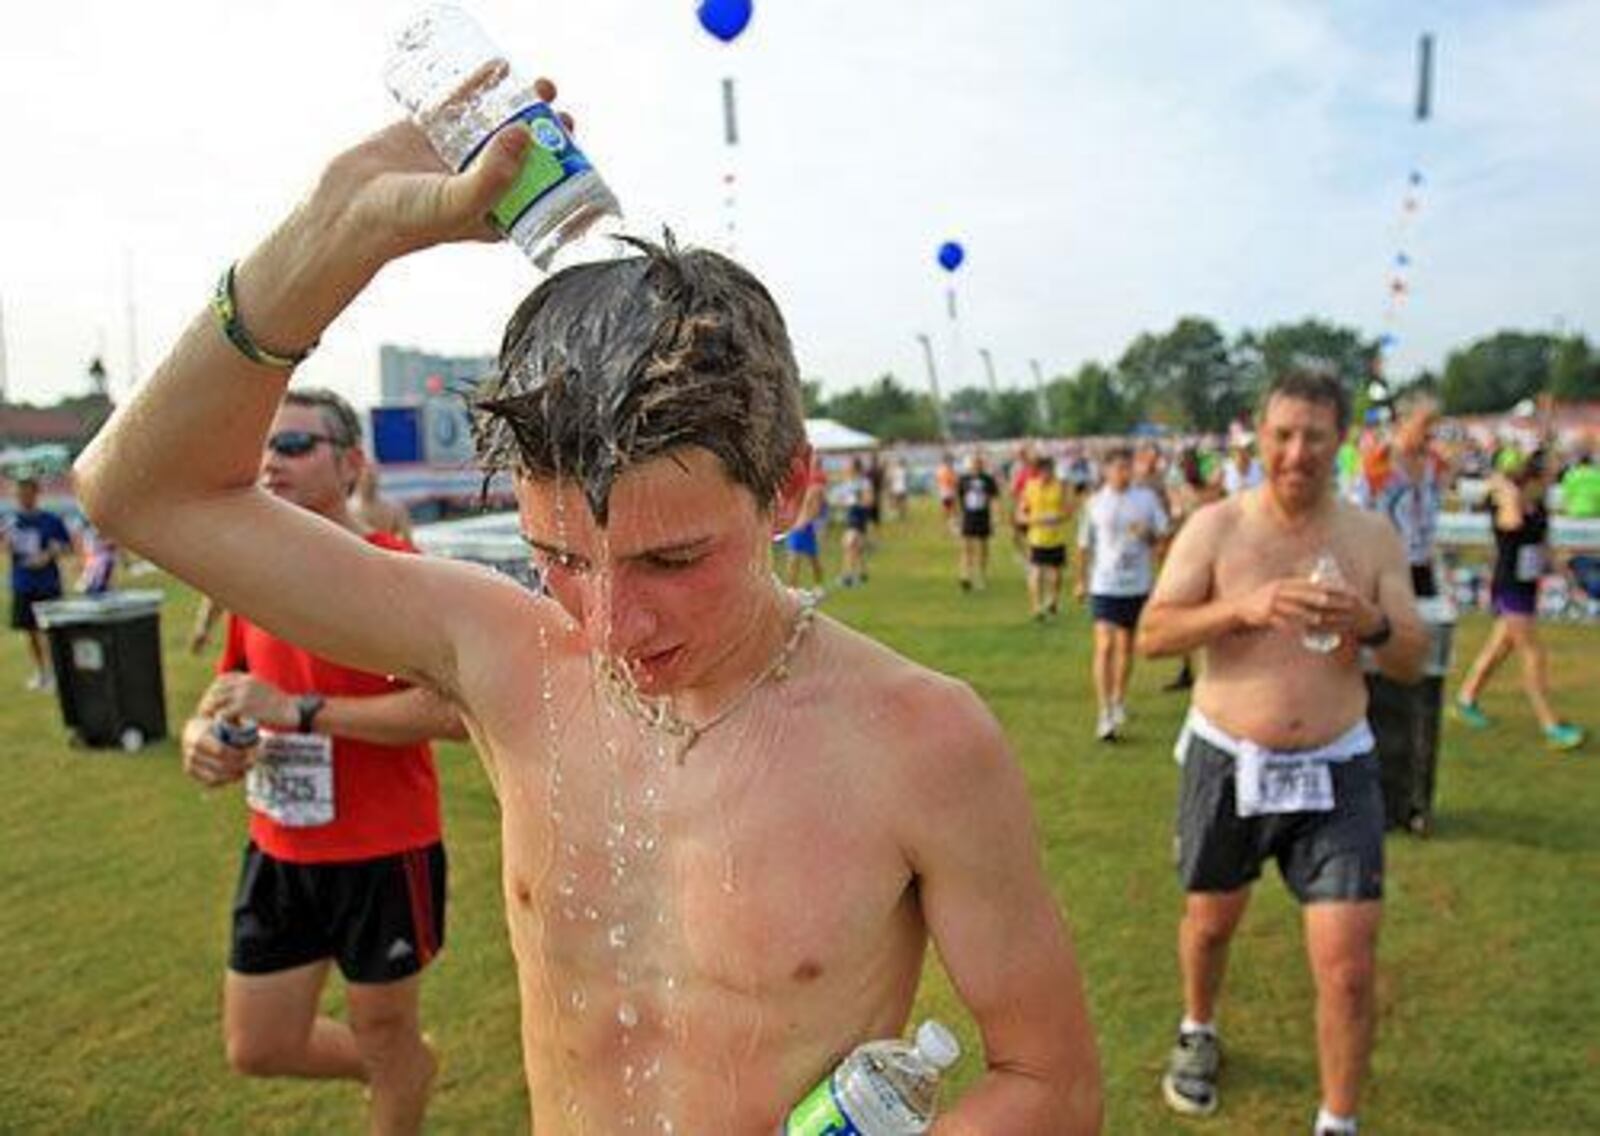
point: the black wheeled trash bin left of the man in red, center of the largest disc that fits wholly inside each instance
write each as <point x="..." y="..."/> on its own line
<point x="108" y="658"/>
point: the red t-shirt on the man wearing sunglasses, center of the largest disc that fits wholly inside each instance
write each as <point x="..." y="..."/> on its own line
<point x="386" y="798"/>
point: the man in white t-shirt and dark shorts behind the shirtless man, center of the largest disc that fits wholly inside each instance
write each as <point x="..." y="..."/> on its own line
<point x="1122" y="527"/>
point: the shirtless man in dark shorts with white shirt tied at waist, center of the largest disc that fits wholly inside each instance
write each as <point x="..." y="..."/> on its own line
<point x="1278" y="754"/>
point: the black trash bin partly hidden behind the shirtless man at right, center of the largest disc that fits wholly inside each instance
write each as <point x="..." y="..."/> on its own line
<point x="1406" y="719"/>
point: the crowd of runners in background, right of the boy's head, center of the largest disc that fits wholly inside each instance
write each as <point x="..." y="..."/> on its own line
<point x="1102" y="513"/>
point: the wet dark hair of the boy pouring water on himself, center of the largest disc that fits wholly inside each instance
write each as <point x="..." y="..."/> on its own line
<point x="614" y="364"/>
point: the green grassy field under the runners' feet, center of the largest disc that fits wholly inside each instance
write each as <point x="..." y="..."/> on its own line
<point x="116" y="876"/>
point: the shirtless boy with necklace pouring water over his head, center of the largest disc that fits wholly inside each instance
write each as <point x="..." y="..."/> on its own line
<point x="706" y="913"/>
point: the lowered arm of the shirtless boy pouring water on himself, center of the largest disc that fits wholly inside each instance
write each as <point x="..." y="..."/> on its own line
<point x="999" y="932"/>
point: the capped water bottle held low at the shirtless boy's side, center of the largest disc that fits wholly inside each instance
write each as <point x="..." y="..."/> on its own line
<point x="884" y="1089"/>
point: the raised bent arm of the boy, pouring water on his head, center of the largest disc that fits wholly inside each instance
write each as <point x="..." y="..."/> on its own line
<point x="174" y="474"/>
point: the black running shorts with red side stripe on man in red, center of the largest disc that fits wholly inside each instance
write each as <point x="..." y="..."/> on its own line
<point x="380" y="919"/>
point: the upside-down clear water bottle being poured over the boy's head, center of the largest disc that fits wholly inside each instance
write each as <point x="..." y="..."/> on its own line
<point x="460" y="89"/>
